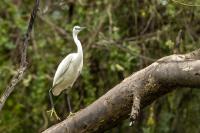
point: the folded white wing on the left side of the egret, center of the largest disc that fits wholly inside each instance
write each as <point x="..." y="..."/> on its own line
<point x="62" y="68"/>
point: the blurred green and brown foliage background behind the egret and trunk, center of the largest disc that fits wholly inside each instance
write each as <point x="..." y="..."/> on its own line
<point x="122" y="36"/>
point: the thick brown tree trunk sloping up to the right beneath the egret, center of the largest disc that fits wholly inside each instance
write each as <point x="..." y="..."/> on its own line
<point x="134" y="93"/>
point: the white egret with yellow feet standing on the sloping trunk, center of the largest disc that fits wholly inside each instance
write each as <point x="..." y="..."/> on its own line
<point x="68" y="71"/>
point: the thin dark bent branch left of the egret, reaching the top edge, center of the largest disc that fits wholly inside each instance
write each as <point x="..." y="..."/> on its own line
<point x="23" y="63"/>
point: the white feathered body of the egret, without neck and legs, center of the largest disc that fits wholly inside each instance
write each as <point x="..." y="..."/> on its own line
<point x="67" y="73"/>
